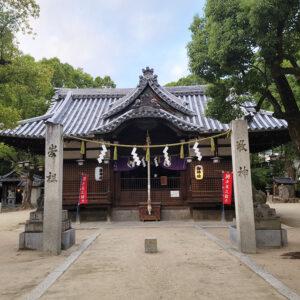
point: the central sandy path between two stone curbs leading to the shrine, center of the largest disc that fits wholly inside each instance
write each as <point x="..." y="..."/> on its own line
<point x="188" y="266"/>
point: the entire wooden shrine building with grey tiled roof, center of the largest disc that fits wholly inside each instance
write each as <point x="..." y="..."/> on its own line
<point x="187" y="184"/>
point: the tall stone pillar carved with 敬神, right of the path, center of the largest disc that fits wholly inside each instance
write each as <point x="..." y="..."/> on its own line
<point x="242" y="187"/>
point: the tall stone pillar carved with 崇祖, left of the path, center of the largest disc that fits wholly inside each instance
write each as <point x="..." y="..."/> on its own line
<point x="53" y="189"/>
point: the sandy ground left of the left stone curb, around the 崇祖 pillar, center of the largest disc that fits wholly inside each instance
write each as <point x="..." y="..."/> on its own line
<point x="21" y="271"/>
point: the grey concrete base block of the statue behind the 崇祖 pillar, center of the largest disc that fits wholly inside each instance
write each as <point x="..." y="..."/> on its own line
<point x="34" y="240"/>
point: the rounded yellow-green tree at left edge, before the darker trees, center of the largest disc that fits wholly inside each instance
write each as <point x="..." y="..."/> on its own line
<point x="25" y="86"/>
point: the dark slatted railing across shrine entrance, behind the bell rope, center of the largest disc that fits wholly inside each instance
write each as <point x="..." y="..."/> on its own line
<point x="141" y="183"/>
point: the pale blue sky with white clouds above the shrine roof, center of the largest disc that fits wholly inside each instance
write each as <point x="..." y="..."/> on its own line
<point x="116" y="37"/>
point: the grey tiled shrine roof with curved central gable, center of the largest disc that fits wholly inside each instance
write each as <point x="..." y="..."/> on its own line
<point x="82" y="111"/>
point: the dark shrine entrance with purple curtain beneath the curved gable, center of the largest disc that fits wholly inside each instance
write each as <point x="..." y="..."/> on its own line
<point x="168" y="184"/>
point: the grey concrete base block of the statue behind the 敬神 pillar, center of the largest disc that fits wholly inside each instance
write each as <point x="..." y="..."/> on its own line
<point x="264" y="238"/>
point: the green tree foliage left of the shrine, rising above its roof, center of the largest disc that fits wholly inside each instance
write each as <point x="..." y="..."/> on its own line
<point x="26" y="85"/>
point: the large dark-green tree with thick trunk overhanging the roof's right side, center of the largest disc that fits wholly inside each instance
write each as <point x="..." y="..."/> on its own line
<point x="244" y="48"/>
